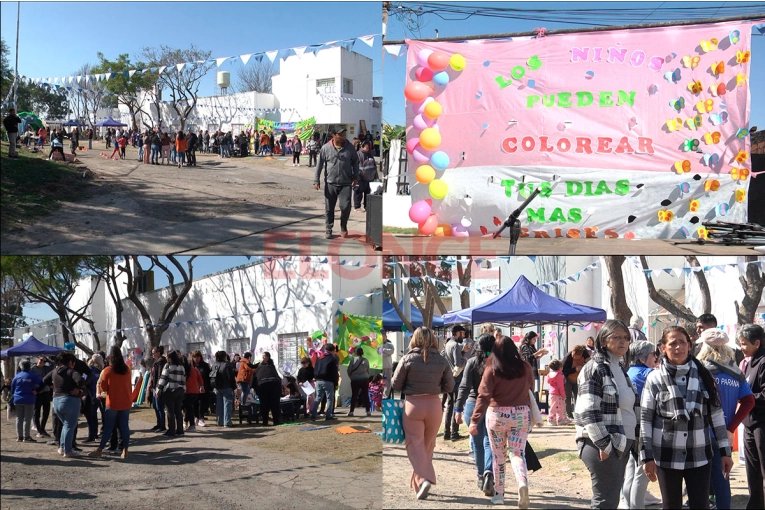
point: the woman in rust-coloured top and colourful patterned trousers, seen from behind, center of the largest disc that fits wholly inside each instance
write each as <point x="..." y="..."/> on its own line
<point x="503" y="400"/>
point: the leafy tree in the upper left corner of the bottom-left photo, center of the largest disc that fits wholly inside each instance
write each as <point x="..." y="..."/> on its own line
<point x="53" y="280"/>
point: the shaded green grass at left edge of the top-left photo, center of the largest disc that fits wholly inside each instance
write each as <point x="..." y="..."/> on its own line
<point x="32" y="186"/>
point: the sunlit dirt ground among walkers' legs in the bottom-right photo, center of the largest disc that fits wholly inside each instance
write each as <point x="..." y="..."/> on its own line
<point x="563" y="481"/>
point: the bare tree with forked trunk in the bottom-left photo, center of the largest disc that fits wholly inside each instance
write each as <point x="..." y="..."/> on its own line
<point x="154" y="328"/>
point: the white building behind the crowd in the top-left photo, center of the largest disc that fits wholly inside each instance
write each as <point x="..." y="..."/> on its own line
<point x="334" y="86"/>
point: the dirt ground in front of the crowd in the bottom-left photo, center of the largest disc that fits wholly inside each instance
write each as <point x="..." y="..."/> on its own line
<point x="241" y="467"/>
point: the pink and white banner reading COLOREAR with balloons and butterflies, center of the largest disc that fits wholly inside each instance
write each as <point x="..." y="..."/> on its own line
<point x="629" y="133"/>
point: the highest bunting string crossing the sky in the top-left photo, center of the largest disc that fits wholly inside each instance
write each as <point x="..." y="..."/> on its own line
<point x="272" y="56"/>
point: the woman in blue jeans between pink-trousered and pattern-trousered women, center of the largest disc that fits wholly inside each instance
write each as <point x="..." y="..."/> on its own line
<point x="466" y="399"/>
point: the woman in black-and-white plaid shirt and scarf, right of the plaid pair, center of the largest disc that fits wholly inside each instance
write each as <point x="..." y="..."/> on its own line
<point x="680" y="402"/>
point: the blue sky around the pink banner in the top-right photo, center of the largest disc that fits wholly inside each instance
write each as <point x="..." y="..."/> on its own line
<point x="395" y="70"/>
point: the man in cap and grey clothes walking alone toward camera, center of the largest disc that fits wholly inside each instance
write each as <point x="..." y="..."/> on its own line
<point x="342" y="172"/>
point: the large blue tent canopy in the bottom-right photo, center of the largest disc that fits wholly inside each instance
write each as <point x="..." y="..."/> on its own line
<point x="526" y="303"/>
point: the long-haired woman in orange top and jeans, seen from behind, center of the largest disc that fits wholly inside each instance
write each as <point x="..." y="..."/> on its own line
<point x="115" y="387"/>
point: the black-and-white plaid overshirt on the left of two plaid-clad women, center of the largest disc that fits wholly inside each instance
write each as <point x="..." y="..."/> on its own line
<point x="597" y="414"/>
